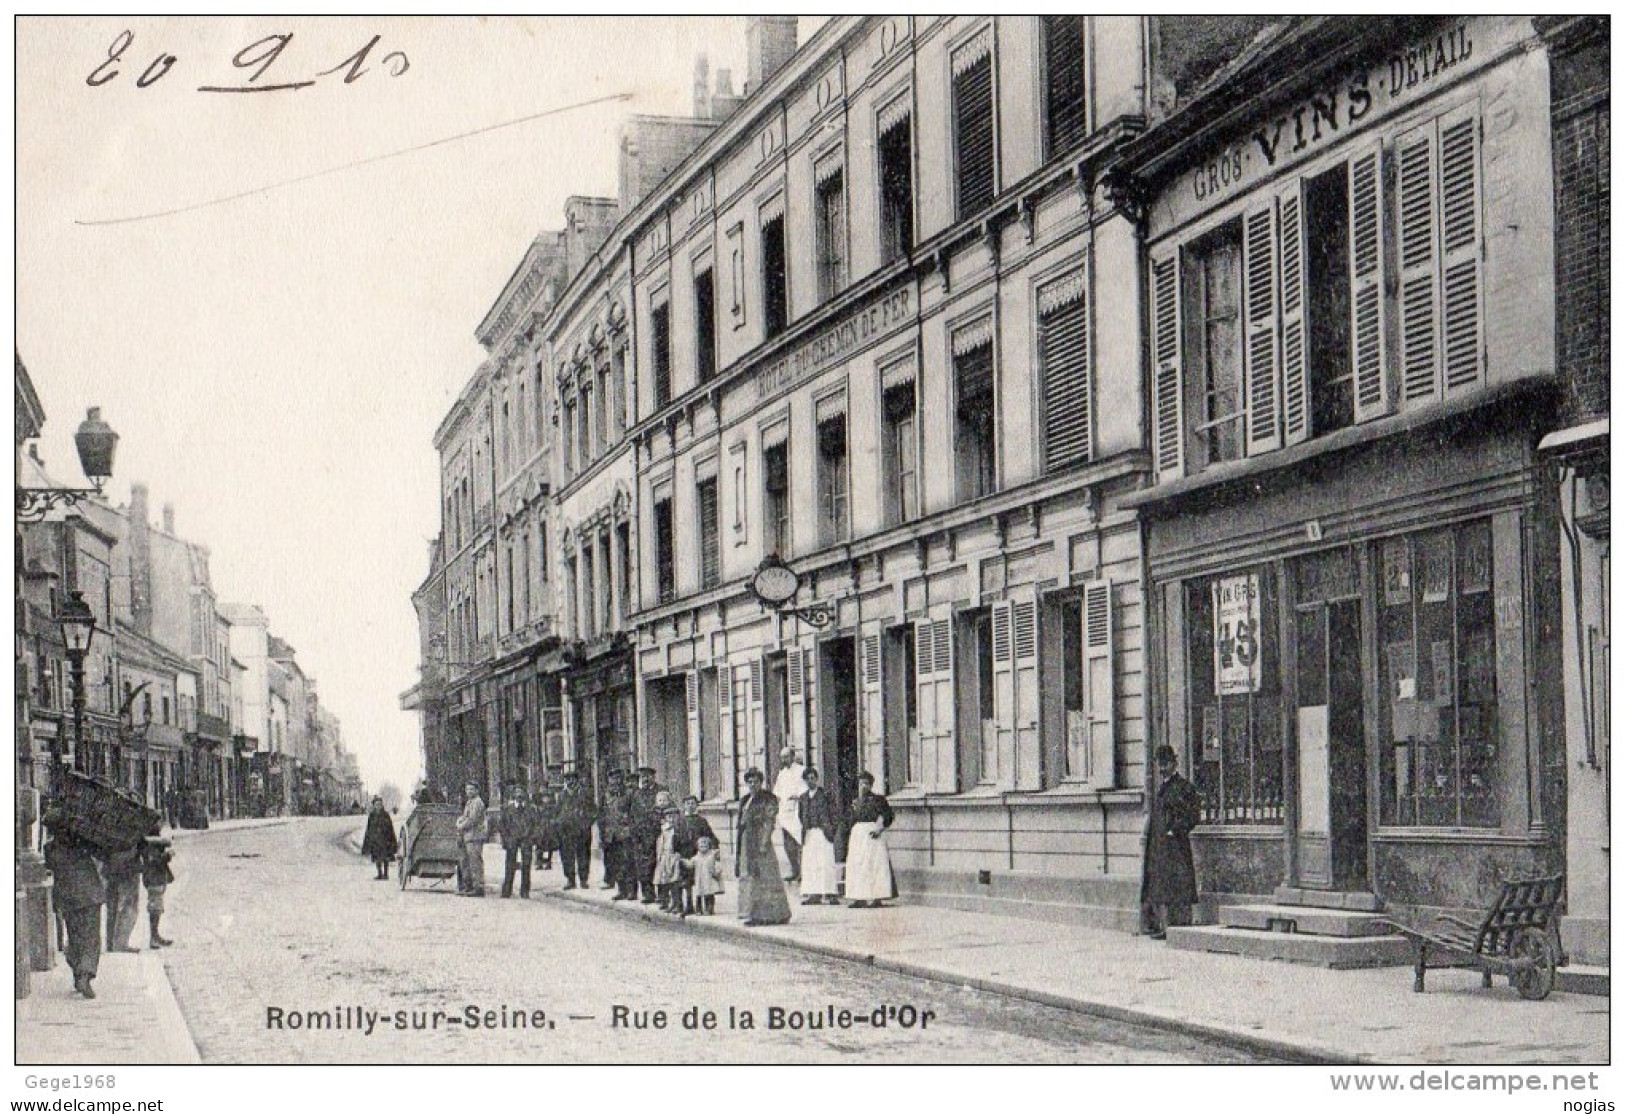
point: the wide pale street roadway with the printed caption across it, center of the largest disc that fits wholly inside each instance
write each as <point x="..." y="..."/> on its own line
<point x="287" y="918"/>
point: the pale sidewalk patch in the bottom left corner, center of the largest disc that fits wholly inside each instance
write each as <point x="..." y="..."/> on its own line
<point x="134" y="1019"/>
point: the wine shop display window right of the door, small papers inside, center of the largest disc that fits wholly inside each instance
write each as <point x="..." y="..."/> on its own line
<point x="1439" y="725"/>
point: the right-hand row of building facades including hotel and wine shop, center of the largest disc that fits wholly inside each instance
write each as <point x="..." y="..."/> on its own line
<point x="1234" y="384"/>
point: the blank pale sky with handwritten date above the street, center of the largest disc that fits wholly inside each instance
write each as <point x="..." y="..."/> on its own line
<point x="275" y="366"/>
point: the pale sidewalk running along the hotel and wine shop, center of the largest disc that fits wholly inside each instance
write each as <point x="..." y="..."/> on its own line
<point x="1286" y="1011"/>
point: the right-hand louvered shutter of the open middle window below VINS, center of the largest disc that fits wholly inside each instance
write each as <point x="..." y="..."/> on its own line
<point x="1366" y="285"/>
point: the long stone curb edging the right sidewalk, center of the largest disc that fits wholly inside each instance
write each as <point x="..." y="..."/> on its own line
<point x="1296" y="1053"/>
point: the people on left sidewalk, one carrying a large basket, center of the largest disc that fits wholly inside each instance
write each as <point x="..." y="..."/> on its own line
<point x="87" y="879"/>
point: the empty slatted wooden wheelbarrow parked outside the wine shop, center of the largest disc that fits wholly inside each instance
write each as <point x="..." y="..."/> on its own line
<point x="1519" y="938"/>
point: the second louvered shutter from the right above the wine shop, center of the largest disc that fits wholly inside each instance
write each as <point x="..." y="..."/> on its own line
<point x="1418" y="266"/>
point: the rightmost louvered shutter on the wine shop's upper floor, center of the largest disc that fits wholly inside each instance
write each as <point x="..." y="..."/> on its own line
<point x="1462" y="248"/>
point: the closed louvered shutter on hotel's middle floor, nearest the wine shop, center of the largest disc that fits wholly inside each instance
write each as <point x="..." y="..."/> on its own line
<point x="1068" y="392"/>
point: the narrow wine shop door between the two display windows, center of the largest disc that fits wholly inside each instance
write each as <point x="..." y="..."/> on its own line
<point x="1332" y="748"/>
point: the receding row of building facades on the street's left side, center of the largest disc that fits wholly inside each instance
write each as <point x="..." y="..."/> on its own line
<point x="189" y="702"/>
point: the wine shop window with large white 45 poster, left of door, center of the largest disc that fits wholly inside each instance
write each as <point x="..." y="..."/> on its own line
<point x="1234" y="735"/>
